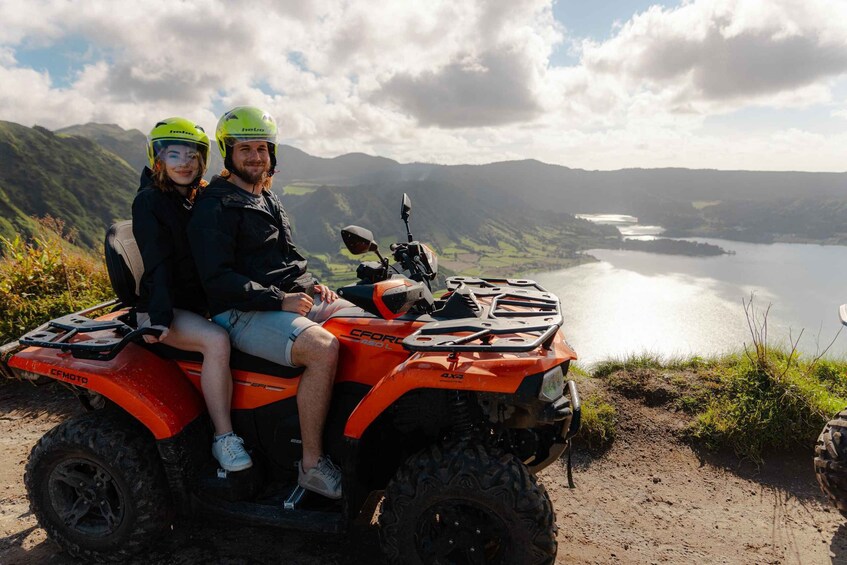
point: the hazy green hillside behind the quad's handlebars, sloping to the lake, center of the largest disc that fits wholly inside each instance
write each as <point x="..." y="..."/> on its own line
<point x="472" y="235"/>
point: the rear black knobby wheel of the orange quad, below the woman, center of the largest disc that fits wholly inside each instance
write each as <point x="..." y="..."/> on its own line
<point x="97" y="487"/>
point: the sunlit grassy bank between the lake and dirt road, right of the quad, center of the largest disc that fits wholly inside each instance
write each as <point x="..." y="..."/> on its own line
<point x="755" y="403"/>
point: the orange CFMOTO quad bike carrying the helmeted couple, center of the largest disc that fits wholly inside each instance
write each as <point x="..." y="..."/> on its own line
<point x="444" y="410"/>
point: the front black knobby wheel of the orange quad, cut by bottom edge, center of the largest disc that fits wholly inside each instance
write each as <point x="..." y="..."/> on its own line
<point x="465" y="503"/>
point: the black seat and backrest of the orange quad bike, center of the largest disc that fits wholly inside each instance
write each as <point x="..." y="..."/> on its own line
<point x="125" y="267"/>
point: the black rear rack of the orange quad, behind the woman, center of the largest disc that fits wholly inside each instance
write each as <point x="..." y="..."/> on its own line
<point x="58" y="333"/>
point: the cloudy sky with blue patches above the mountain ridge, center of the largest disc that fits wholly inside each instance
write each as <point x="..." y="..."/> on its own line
<point x="722" y="84"/>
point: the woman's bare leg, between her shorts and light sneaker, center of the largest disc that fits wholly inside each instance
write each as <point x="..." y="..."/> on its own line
<point x="193" y="332"/>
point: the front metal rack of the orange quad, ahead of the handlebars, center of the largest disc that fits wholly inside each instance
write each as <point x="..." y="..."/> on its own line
<point x="498" y="315"/>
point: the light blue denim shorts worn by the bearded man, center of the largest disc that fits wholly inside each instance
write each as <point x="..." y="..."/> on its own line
<point x="271" y="334"/>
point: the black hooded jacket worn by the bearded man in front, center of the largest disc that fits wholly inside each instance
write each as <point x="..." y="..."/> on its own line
<point x="243" y="252"/>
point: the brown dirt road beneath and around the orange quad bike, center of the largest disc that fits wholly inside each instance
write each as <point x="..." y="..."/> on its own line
<point x="649" y="499"/>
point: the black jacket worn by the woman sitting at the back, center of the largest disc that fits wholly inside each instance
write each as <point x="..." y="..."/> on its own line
<point x="170" y="280"/>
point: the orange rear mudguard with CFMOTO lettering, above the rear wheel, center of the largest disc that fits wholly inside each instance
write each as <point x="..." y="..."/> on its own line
<point x="151" y="389"/>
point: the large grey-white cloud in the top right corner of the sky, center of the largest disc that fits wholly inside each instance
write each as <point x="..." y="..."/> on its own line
<point x="727" y="53"/>
